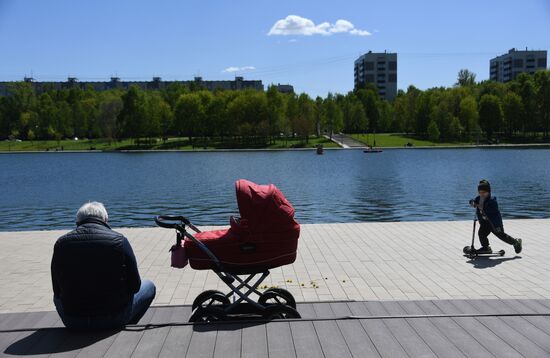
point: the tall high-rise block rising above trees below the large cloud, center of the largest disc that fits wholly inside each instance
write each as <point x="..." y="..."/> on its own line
<point x="380" y="69"/>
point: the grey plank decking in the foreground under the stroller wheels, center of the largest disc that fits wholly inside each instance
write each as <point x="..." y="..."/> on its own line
<point x="443" y="328"/>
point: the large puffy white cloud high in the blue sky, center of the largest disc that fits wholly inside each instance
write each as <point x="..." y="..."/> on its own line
<point x="297" y="25"/>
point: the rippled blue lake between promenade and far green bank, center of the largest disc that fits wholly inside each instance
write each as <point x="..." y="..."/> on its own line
<point x="42" y="191"/>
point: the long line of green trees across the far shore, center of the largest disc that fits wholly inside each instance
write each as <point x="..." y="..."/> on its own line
<point x="468" y="111"/>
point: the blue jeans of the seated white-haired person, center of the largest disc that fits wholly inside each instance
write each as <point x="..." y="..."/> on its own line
<point x="131" y="314"/>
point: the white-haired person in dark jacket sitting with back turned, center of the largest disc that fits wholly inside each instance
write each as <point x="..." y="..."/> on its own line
<point x="95" y="278"/>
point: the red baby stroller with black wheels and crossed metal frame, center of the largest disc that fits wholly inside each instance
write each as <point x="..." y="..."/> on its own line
<point x="264" y="237"/>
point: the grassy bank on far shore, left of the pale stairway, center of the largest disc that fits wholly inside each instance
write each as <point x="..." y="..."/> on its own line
<point x="171" y="143"/>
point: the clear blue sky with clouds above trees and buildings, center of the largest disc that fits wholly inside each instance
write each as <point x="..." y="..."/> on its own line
<point x="308" y="44"/>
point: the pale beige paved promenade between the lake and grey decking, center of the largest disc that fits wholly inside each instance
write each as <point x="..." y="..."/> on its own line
<point x="354" y="261"/>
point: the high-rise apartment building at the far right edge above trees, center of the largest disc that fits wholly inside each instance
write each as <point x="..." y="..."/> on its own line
<point x="507" y="67"/>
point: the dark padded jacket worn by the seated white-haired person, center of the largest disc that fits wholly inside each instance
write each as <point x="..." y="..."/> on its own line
<point x="94" y="270"/>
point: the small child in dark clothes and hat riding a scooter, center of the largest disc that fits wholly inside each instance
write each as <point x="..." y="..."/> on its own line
<point x="490" y="220"/>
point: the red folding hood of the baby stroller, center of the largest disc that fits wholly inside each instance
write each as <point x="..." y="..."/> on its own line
<point x="263" y="207"/>
